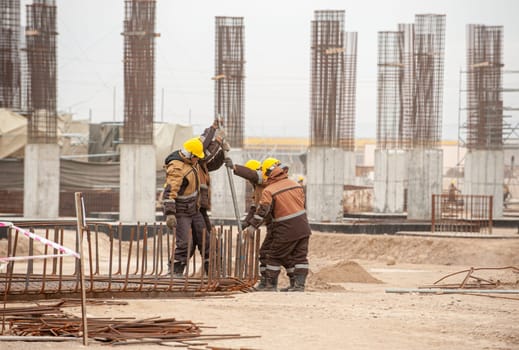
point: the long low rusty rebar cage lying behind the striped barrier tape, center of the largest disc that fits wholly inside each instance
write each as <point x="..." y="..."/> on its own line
<point x="115" y="265"/>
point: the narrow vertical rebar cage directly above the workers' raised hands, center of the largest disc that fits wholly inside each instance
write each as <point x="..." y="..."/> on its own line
<point x="229" y="76"/>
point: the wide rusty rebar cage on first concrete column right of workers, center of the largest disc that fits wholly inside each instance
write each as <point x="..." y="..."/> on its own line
<point x="333" y="74"/>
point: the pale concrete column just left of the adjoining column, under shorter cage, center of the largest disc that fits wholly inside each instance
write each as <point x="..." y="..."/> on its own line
<point x="390" y="180"/>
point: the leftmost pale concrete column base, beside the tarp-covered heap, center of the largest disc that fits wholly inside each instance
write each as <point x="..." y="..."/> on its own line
<point x="41" y="181"/>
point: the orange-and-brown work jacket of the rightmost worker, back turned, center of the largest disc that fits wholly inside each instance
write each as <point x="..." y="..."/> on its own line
<point x="284" y="199"/>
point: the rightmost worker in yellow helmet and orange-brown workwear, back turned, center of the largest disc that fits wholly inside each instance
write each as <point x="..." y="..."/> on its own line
<point x="284" y="199"/>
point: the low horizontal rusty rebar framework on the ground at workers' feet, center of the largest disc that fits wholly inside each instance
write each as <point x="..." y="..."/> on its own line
<point x="102" y="277"/>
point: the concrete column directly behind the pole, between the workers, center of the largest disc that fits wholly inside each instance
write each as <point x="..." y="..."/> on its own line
<point x="221" y="198"/>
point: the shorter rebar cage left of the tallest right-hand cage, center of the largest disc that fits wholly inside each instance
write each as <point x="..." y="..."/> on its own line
<point x="390" y="97"/>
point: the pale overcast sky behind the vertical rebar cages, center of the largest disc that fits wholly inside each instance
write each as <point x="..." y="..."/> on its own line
<point x="277" y="52"/>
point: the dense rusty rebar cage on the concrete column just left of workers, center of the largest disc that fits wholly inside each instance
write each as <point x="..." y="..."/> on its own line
<point x="139" y="71"/>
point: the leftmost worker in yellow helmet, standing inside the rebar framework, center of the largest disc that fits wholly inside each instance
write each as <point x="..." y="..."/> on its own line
<point x="182" y="202"/>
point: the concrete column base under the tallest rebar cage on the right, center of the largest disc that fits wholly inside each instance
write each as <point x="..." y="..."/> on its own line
<point x="425" y="179"/>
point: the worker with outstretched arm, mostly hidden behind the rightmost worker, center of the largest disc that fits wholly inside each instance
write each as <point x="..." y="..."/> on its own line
<point x="251" y="171"/>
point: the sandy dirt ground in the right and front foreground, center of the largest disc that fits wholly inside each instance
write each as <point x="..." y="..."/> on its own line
<point x="347" y="306"/>
